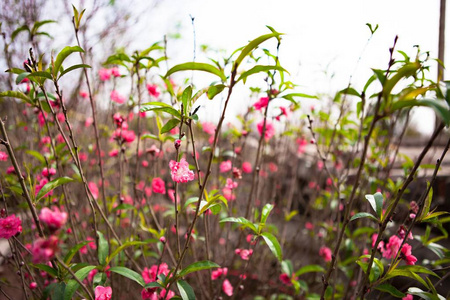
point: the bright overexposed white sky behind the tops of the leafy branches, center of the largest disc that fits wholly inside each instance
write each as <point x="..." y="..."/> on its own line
<point x="321" y="35"/>
